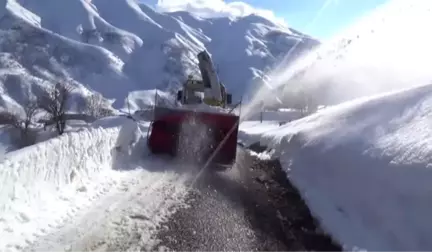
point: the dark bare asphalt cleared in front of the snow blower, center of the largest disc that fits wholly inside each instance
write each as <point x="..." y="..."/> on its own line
<point x="251" y="207"/>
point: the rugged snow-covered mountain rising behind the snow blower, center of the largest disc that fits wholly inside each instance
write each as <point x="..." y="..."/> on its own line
<point x="120" y="46"/>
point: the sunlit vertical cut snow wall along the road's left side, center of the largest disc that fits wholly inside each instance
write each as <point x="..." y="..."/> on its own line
<point x="30" y="177"/>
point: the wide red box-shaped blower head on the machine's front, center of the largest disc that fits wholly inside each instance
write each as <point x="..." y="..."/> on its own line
<point x="195" y="136"/>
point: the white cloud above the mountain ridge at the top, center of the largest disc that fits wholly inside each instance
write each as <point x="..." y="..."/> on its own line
<point x="217" y="8"/>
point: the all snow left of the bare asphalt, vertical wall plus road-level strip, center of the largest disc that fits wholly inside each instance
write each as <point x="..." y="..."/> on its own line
<point x="77" y="192"/>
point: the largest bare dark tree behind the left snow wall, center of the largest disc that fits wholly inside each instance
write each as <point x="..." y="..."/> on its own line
<point x="54" y="104"/>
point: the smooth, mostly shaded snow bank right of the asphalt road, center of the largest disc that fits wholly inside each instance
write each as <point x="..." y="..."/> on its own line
<point x="363" y="168"/>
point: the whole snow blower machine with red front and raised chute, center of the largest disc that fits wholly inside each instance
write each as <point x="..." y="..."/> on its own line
<point x="202" y="128"/>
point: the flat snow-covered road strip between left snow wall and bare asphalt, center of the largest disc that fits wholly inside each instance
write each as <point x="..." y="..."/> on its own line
<point x="126" y="218"/>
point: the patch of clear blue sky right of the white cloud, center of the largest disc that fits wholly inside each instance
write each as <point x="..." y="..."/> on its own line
<point x="300" y="13"/>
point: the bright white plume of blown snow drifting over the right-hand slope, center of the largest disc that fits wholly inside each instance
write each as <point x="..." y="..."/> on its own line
<point x="373" y="56"/>
